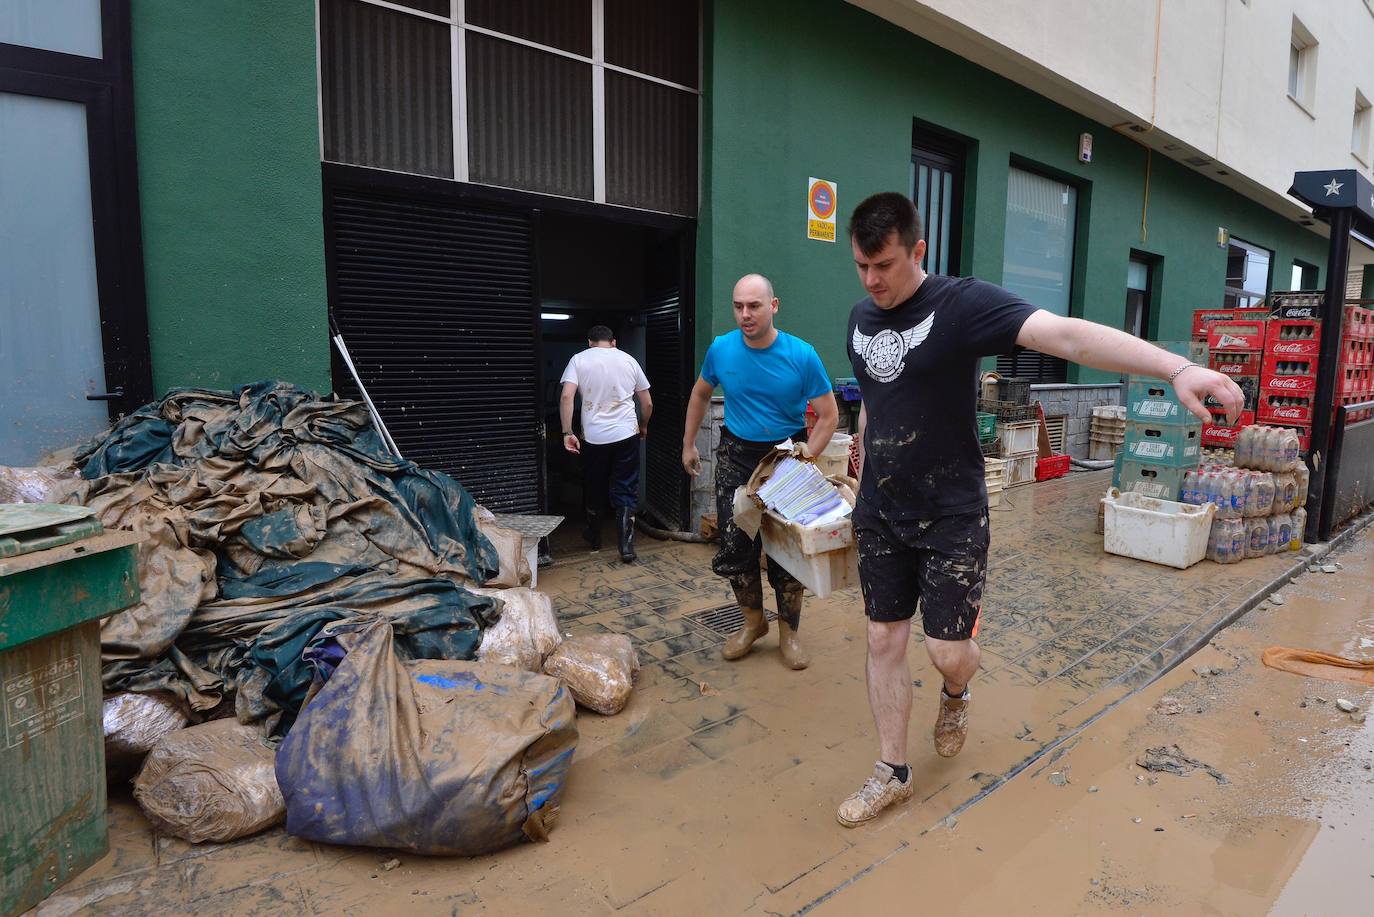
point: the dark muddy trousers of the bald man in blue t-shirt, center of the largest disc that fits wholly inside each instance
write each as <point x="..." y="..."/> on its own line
<point x="739" y="556"/>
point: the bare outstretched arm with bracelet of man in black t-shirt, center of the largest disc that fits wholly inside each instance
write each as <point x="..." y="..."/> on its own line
<point x="1104" y="349"/>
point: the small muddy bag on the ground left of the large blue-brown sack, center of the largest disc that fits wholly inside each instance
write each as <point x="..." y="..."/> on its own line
<point x="211" y="783"/>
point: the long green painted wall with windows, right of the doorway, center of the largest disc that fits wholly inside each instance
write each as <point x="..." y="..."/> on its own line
<point x="833" y="93"/>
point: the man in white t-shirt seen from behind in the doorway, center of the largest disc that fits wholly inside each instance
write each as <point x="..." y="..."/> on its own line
<point x="611" y="383"/>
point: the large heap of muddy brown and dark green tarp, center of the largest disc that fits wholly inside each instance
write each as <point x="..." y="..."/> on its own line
<point x="270" y="512"/>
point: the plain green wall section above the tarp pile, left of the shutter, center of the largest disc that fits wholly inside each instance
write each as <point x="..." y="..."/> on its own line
<point x="230" y="190"/>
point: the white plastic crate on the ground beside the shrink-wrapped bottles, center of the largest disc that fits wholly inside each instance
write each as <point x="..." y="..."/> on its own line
<point x="1158" y="531"/>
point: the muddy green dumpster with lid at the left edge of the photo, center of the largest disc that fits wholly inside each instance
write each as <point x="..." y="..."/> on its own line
<point x="60" y="575"/>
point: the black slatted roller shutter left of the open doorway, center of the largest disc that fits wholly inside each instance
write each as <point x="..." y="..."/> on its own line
<point x="436" y="303"/>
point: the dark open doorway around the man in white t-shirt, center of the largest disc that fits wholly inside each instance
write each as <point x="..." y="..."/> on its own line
<point x="631" y="280"/>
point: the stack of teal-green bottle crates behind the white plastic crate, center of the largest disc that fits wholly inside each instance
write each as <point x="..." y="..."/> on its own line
<point x="1163" y="442"/>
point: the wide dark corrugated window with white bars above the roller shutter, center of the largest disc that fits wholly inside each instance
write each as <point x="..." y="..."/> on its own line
<point x="593" y="100"/>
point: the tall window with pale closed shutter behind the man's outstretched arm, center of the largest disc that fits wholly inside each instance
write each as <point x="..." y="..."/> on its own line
<point x="1038" y="259"/>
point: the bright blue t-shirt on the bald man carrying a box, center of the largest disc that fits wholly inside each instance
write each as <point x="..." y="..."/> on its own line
<point x="766" y="390"/>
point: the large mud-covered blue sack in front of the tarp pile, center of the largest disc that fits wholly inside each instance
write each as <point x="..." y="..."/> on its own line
<point x="432" y="757"/>
